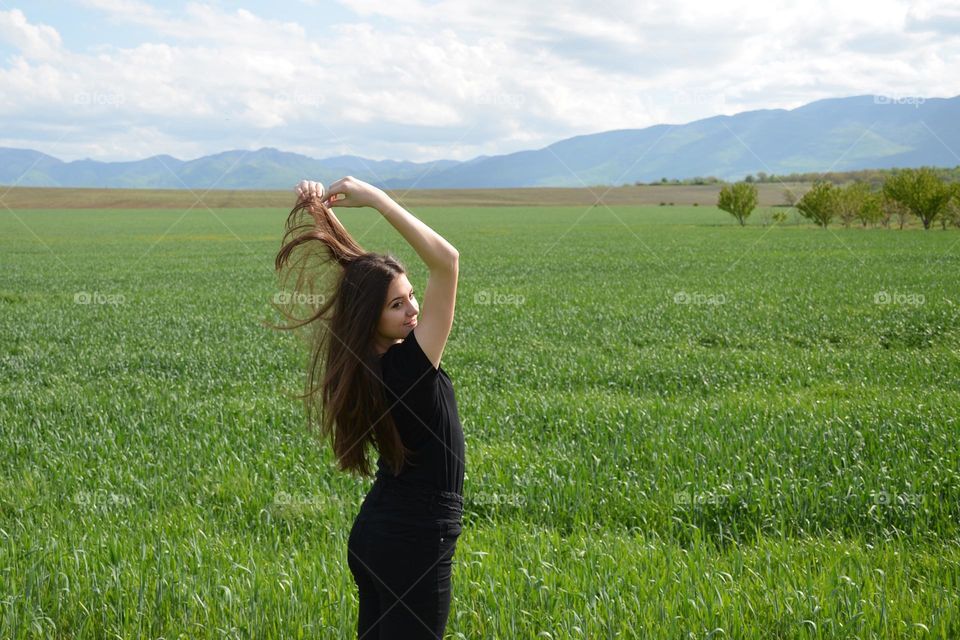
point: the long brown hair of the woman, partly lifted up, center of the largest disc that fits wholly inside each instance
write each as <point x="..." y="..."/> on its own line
<point x="343" y="289"/>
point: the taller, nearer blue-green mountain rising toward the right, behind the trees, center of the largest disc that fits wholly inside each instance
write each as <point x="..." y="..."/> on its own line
<point x="839" y="134"/>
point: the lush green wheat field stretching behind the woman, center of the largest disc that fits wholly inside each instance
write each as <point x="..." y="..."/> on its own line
<point x="676" y="428"/>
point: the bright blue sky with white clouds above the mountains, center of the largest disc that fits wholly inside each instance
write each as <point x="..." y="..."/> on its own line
<point x="424" y="80"/>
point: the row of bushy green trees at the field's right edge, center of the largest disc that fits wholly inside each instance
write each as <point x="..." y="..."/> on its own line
<point x="925" y="193"/>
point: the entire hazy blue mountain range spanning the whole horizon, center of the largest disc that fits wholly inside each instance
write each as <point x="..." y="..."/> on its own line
<point x="838" y="134"/>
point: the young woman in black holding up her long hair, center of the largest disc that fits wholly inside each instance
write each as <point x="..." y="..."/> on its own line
<point x="374" y="378"/>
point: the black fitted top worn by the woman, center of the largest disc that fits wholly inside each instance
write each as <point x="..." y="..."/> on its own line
<point x="424" y="408"/>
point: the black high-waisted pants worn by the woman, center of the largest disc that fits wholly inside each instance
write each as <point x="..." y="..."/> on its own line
<point x="400" y="552"/>
